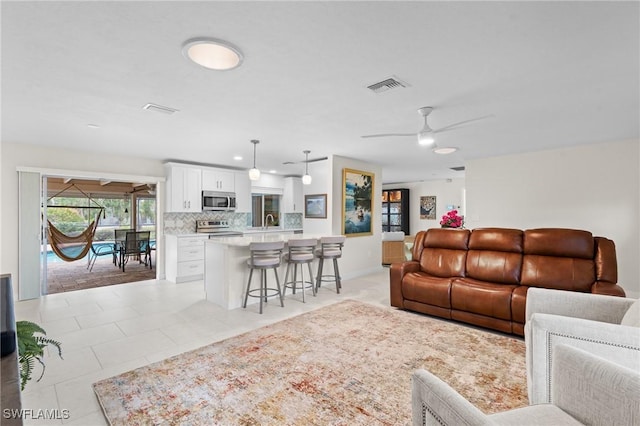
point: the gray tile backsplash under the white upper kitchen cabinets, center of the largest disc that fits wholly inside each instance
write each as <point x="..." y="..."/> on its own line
<point x="185" y="223"/>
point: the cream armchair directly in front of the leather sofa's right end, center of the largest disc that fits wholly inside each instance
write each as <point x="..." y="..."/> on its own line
<point x="594" y="323"/>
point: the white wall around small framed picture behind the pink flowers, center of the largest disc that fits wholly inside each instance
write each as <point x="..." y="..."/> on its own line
<point x="447" y="192"/>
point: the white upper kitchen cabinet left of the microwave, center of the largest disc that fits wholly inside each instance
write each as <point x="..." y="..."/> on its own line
<point x="184" y="188"/>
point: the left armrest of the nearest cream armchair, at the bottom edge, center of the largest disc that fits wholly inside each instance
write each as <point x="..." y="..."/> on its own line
<point x="433" y="402"/>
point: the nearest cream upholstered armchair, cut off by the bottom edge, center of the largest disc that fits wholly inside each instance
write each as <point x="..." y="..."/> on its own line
<point x="587" y="390"/>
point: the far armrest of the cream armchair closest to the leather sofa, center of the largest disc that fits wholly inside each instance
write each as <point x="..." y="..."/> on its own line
<point x="595" y="307"/>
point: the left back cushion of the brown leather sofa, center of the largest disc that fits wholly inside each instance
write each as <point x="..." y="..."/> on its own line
<point x="444" y="252"/>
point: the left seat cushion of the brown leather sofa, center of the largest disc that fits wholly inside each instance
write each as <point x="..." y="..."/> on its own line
<point x="423" y="288"/>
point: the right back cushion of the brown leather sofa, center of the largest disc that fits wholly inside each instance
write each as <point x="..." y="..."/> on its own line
<point x="558" y="258"/>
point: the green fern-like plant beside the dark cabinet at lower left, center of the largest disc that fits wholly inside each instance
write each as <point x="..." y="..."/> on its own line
<point x="31" y="344"/>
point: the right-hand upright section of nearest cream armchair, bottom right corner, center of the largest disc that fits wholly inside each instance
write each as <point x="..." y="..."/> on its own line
<point x="610" y="394"/>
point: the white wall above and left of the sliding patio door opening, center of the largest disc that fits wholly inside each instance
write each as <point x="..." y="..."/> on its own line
<point x="23" y="155"/>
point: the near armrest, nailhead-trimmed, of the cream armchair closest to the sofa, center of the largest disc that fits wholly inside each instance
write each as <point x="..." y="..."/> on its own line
<point x="544" y="332"/>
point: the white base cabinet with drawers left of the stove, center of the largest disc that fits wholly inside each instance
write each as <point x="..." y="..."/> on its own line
<point x="185" y="257"/>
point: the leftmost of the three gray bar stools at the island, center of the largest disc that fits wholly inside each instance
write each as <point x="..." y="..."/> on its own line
<point x="264" y="256"/>
